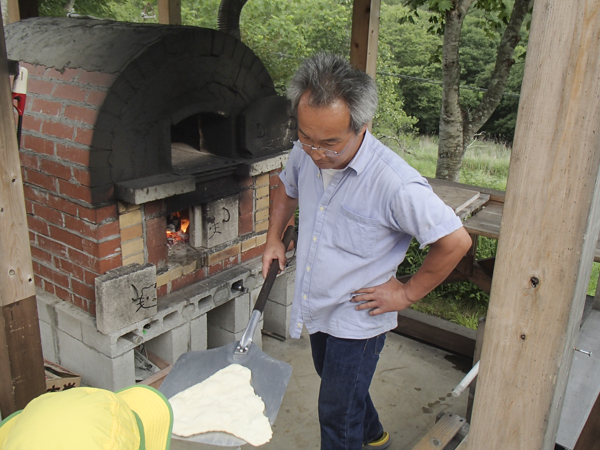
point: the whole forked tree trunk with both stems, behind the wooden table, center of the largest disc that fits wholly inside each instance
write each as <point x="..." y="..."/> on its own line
<point x="457" y="127"/>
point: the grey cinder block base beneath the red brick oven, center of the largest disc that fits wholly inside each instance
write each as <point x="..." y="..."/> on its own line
<point x="197" y="317"/>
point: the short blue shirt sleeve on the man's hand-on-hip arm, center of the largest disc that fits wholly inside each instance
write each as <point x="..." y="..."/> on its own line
<point x="419" y="212"/>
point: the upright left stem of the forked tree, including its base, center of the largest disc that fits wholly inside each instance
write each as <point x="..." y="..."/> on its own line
<point x="450" y="150"/>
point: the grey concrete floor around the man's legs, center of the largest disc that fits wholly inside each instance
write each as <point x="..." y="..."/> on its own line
<point x="411" y="386"/>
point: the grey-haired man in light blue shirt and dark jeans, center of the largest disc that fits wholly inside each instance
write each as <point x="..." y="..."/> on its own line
<point x="360" y="206"/>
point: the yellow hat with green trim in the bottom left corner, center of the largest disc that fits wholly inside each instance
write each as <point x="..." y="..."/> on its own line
<point x="136" y="418"/>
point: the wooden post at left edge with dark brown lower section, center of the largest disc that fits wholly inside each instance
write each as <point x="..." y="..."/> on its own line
<point x="21" y="361"/>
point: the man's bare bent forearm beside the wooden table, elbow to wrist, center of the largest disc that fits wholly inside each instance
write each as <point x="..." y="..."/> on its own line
<point x="442" y="258"/>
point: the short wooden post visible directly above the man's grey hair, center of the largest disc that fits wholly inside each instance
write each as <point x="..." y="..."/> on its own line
<point x="365" y="35"/>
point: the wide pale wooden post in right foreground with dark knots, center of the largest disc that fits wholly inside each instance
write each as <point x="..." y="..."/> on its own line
<point x="548" y="233"/>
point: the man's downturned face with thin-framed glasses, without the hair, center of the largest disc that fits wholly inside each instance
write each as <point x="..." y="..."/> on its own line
<point x="328" y="128"/>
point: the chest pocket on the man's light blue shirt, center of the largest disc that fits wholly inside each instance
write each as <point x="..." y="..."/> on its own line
<point x="354" y="233"/>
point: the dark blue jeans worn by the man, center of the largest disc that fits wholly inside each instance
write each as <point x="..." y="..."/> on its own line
<point x="346" y="367"/>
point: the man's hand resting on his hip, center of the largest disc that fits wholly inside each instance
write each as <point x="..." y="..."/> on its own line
<point x="387" y="297"/>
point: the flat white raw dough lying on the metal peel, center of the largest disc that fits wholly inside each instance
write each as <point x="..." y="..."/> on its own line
<point x="223" y="402"/>
